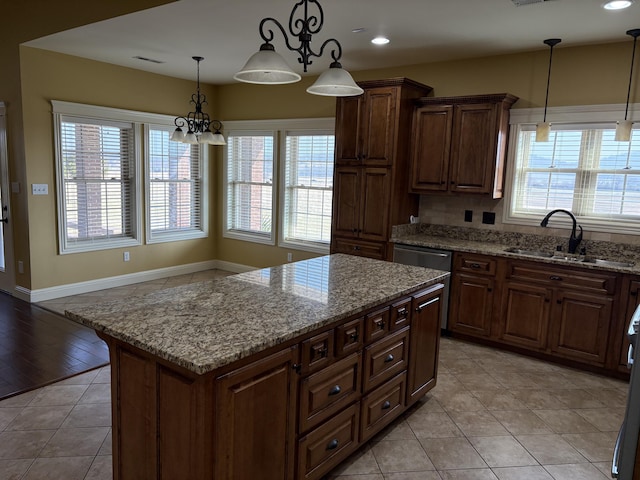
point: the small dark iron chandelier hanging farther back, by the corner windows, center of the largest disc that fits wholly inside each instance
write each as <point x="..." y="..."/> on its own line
<point x="198" y="123"/>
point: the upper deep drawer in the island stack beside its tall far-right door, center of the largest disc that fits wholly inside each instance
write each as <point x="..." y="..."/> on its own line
<point x="384" y="359"/>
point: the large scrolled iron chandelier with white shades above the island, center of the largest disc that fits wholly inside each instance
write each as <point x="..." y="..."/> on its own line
<point x="267" y="67"/>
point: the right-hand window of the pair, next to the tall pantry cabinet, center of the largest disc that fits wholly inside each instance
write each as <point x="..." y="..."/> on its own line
<point x="308" y="189"/>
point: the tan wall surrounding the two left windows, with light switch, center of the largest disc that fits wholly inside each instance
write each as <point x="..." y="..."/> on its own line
<point x="48" y="76"/>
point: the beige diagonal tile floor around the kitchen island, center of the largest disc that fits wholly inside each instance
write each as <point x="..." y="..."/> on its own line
<point x="493" y="415"/>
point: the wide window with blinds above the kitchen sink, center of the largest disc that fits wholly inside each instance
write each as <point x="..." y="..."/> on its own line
<point x="582" y="169"/>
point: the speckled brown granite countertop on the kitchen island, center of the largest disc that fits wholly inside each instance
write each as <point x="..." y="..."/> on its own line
<point x="210" y="324"/>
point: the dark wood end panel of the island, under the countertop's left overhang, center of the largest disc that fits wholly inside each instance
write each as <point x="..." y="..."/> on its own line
<point x="154" y="413"/>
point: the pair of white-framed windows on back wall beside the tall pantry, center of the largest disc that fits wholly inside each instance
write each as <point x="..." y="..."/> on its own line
<point x="298" y="200"/>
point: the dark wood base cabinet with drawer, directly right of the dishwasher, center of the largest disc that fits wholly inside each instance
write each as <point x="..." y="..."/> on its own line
<point x="471" y="307"/>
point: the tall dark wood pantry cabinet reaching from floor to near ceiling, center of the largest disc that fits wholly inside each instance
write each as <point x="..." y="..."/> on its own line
<point x="371" y="175"/>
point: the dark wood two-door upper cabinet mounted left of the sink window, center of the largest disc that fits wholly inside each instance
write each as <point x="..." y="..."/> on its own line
<point x="459" y="144"/>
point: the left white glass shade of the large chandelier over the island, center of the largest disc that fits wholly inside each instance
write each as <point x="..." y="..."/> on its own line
<point x="267" y="67"/>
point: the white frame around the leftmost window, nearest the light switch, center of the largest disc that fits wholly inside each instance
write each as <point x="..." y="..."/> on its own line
<point x="88" y="112"/>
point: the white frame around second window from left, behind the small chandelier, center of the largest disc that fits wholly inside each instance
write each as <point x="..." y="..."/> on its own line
<point x="184" y="234"/>
